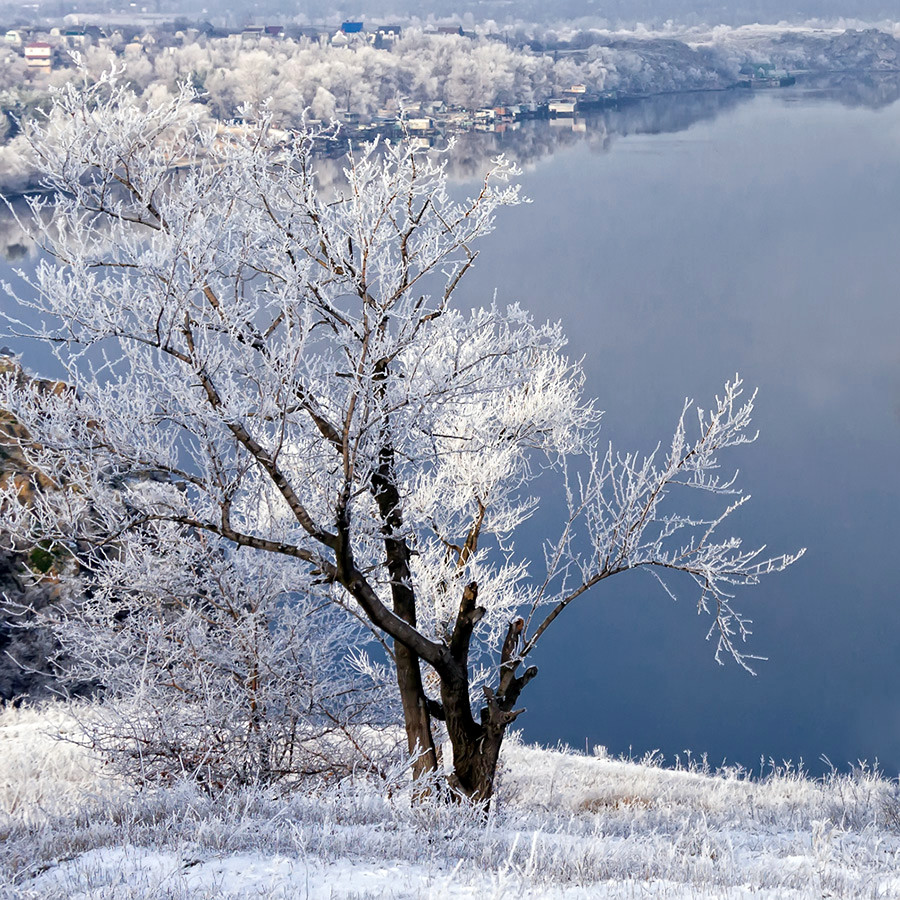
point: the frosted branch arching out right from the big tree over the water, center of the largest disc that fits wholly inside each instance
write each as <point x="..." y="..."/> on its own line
<point x="623" y="503"/>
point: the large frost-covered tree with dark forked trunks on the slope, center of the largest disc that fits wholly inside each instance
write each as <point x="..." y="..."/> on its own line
<point x="292" y="369"/>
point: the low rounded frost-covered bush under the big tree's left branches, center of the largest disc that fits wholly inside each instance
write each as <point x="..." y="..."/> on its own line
<point x="210" y="666"/>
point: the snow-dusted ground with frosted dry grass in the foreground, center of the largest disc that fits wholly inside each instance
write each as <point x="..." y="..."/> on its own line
<point x="565" y="826"/>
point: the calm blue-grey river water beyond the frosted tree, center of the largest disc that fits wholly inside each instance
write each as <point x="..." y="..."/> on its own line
<point x="681" y="240"/>
